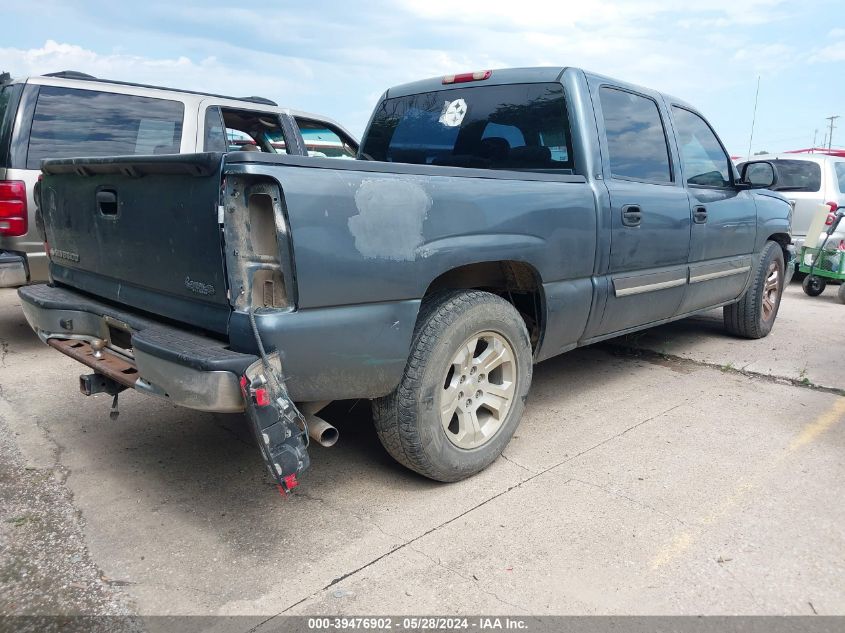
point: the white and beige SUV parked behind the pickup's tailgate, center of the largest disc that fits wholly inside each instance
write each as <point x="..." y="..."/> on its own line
<point x="71" y="114"/>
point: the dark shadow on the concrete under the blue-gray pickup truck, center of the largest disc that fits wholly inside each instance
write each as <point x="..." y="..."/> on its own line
<point x="153" y="445"/>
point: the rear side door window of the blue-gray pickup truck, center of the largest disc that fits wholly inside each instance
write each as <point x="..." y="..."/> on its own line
<point x="636" y="139"/>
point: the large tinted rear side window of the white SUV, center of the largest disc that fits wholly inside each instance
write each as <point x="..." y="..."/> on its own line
<point x="70" y="123"/>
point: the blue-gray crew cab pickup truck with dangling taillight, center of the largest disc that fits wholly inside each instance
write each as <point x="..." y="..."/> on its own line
<point x="491" y="221"/>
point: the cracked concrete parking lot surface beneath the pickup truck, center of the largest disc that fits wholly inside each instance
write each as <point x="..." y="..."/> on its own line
<point x="661" y="482"/>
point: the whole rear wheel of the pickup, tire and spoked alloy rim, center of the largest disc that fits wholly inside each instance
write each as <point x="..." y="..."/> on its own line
<point x="464" y="387"/>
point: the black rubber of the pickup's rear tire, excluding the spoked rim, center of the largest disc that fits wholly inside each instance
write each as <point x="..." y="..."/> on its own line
<point x="408" y="421"/>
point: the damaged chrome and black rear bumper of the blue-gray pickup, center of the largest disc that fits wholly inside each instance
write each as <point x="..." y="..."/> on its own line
<point x="187" y="369"/>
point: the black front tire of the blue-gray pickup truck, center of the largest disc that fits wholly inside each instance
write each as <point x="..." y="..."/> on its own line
<point x="753" y="317"/>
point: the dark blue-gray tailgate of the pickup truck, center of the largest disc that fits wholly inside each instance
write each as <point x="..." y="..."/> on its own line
<point x="141" y="231"/>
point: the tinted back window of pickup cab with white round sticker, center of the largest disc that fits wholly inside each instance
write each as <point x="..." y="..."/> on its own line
<point x="520" y="126"/>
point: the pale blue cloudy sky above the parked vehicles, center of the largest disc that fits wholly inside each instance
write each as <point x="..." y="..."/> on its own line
<point x="337" y="57"/>
